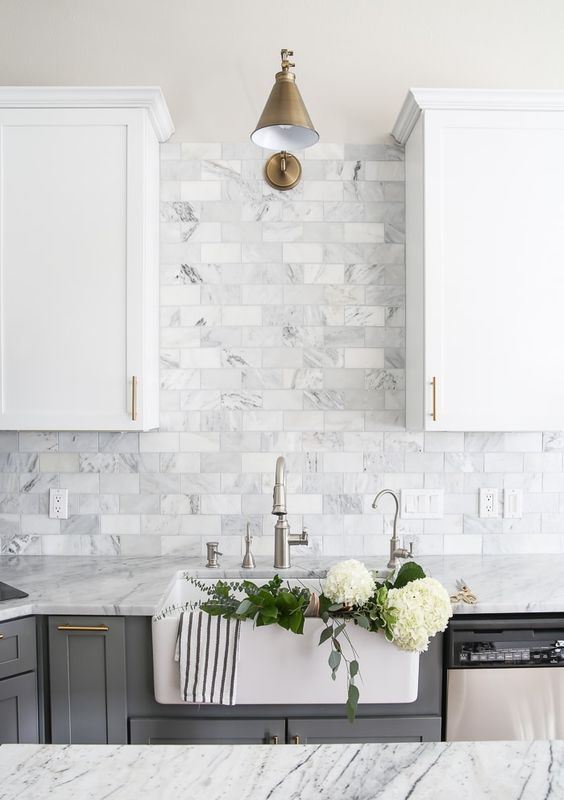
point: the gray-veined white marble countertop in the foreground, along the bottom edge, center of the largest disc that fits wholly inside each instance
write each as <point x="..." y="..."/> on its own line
<point x="433" y="770"/>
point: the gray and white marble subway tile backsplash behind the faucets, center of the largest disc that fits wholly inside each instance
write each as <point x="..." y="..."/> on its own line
<point x="282" y="331"/>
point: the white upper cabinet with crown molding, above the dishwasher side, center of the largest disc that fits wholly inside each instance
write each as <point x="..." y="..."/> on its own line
<point x="485" y="259"/>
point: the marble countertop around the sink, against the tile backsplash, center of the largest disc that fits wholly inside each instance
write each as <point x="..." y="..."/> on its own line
<point x="112" y="585"/>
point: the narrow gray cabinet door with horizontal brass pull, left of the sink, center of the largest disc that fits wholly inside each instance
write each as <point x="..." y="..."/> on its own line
<point x="87" y="675"/>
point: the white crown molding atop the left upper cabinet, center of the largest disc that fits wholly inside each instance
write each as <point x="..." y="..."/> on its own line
<point x="150" y="98"/>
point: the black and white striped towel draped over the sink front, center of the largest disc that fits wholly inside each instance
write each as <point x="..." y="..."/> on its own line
<point x="208" y="651"/>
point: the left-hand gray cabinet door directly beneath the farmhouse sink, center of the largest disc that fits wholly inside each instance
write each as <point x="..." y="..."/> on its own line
<point x="207" y="731"/>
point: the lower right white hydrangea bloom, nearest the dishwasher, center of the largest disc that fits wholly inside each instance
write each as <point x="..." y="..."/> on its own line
<point x="423" y="609"/>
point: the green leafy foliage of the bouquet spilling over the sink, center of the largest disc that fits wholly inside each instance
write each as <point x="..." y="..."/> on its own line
<point x="277" y="603"/>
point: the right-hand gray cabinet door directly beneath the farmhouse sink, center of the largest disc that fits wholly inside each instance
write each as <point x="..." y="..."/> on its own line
<point x="373" y="729"/>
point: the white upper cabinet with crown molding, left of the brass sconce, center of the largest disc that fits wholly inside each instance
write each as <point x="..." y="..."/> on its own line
<point x="79" y="174"/>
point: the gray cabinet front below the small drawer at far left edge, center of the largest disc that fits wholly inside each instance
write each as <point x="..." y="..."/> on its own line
<point x="18" y="710"/>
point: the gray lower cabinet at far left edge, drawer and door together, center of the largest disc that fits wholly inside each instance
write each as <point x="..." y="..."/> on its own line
<point x="19" y="712"/>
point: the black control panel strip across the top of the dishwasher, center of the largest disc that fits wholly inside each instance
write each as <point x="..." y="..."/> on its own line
<point x="509" y="654"/>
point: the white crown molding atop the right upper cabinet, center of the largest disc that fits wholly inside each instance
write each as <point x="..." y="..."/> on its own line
<point x="419" y="100"/>
